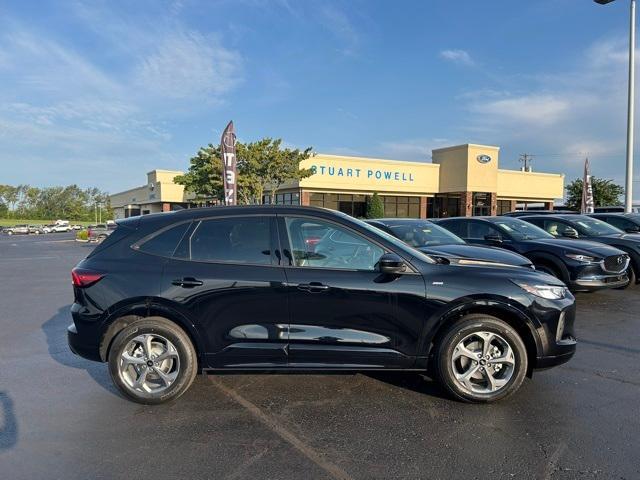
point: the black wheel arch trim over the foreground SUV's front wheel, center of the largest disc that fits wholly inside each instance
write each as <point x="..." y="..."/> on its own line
<point x="513" y="313"/>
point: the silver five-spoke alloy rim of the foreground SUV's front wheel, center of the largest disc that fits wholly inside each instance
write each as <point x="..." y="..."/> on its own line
<point x="483" y="362"/>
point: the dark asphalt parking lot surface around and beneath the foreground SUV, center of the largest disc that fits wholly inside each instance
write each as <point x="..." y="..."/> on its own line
<point x="61" y="418"/>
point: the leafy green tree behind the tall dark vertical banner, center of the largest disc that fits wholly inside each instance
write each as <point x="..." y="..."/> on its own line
<point x="263" y="166"/>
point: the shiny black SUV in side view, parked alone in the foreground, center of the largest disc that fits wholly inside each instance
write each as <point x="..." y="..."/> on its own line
<point x="301" y="288"/>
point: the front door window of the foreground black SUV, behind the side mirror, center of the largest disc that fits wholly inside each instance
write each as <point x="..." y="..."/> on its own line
<point x="319" y="244"/>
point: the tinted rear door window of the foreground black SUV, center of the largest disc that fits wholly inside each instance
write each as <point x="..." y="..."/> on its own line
<point x="233" y="240"/>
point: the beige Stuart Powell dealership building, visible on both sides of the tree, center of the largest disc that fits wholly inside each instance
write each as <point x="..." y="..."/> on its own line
<point x="463" y="180"/>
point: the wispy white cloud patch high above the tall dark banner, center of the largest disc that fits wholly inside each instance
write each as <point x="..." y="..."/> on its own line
<point x="190" y="65"/>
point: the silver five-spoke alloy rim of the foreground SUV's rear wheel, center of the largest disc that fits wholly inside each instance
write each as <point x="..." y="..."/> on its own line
<point x="149" y="364"/>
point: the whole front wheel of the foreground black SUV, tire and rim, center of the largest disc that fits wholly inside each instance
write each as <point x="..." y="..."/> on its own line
<point x="481" y="359"/>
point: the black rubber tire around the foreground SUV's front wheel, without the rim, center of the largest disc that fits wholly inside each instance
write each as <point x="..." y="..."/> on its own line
<point x="460" y="330"/>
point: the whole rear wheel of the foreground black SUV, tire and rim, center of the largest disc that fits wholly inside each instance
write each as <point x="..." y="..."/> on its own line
<point x="152" y="361"/>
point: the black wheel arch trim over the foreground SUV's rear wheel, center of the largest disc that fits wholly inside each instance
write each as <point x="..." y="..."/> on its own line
<point x="124" y="313"/>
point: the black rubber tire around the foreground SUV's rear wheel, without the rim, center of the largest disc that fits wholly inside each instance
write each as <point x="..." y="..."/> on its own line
<point x="188" y="362"/>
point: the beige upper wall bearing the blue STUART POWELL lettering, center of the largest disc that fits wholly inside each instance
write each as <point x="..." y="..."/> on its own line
<point x="340" y="173"/>
